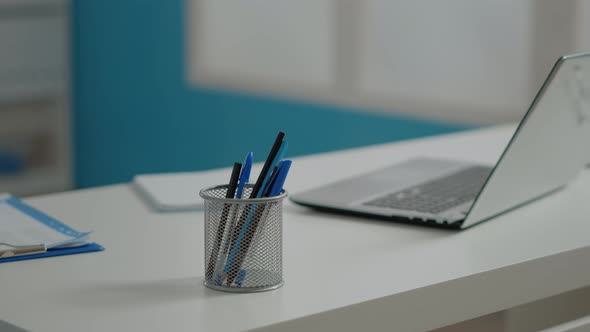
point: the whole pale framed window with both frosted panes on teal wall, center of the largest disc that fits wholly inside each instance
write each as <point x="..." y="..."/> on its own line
<point x="468" y="61"/>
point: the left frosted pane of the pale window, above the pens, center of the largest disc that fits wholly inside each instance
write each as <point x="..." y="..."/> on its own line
<point x="263" y="44"/>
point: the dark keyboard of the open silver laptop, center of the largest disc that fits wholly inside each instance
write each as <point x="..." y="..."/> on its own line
<point x="437" y="195"/>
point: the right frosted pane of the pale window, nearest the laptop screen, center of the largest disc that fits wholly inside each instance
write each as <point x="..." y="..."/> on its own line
<point x="459" y="53"/>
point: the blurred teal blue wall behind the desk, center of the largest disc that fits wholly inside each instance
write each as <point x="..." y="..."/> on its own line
<point x="136" y="110"/>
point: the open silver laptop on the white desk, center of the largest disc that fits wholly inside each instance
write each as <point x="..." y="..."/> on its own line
<point x="545" y="153"/>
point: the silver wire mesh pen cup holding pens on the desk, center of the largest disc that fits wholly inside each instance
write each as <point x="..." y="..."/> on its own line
<point x="243" y="241"/>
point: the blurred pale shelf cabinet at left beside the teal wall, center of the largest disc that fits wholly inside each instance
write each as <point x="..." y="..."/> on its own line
<point x="35" y="129"/>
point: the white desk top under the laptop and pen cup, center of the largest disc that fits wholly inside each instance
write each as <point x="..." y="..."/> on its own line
<point x="342" y="273"/>
